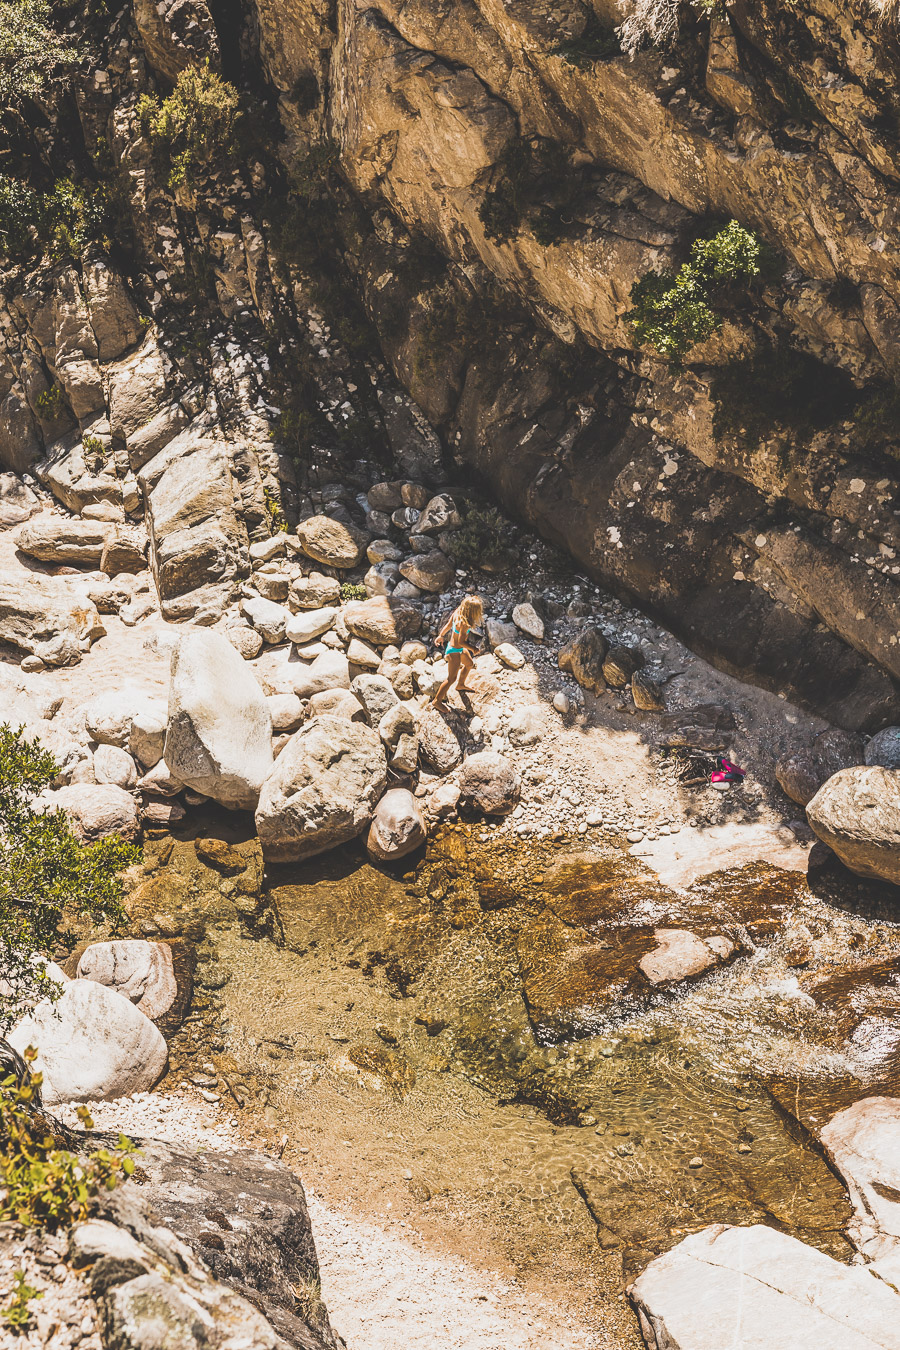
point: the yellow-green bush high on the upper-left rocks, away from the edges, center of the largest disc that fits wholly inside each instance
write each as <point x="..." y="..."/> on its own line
<point x="192" y="130"/>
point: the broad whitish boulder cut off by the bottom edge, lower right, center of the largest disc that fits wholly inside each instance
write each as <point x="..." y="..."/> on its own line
<point x="756" y="1289"/>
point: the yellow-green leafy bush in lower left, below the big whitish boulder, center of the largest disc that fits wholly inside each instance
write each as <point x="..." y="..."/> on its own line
<point x="45" y="1185"/>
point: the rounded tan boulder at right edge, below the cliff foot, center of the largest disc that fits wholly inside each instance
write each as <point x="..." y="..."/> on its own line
<point x="857" y="815"/>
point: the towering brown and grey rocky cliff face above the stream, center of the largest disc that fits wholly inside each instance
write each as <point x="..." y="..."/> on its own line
<point x="488" y="182"/>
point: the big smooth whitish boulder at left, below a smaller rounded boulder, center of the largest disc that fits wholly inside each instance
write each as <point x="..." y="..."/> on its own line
<point x="92" y="1044"/>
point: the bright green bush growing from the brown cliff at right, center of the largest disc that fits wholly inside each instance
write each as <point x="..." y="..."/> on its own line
<point x="675" y="311"/>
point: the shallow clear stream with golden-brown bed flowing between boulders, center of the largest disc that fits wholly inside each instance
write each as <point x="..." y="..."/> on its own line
<point x="470" y="1047"/>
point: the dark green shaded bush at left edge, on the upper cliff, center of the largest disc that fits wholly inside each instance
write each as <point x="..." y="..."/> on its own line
<point x="63" y="221"/>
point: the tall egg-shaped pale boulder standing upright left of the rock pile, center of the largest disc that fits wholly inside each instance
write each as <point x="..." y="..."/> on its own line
<point x="219" y="738"/>
